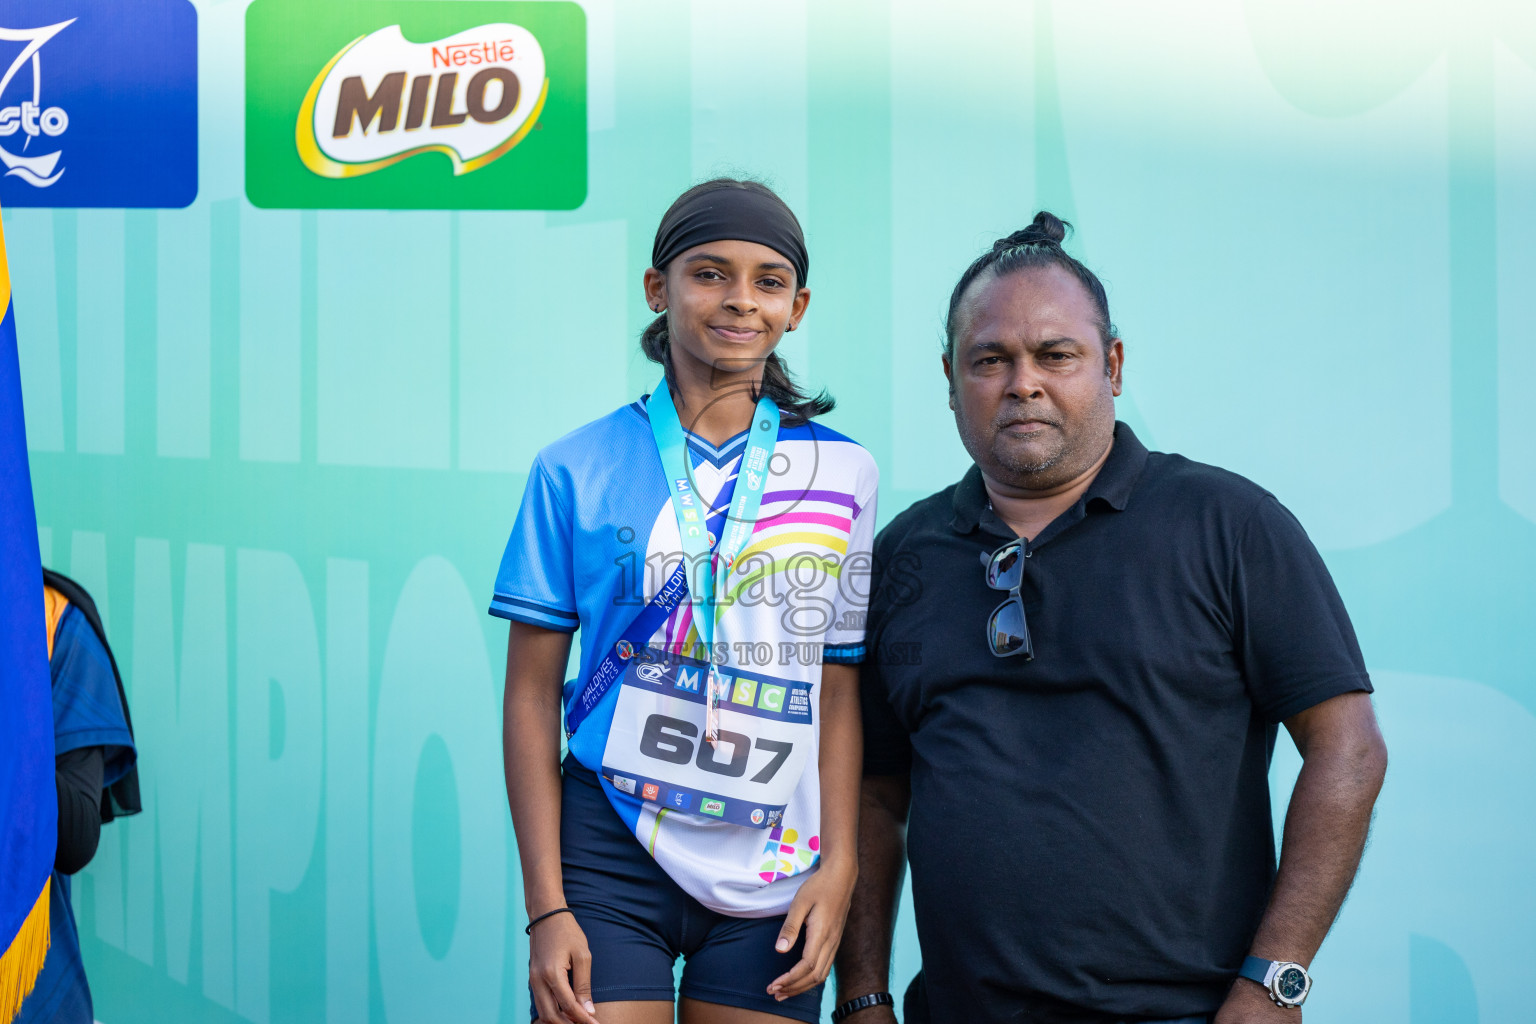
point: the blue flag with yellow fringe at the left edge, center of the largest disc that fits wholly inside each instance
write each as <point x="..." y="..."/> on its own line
<point x="28" y="808"/>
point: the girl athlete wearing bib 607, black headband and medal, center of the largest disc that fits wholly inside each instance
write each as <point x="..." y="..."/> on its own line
<point x="712" y="543"/>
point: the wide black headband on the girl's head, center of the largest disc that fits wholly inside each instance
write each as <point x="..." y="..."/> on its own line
<point x="732" y="213"/>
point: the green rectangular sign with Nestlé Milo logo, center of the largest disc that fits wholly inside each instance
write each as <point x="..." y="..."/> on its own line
<point x="417" y="105"/>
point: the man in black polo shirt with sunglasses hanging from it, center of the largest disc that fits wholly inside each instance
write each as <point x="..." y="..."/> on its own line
<point x="1078" y="756"/>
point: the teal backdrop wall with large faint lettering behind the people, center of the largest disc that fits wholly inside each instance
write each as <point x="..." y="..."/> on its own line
<point x="285" y="449"/>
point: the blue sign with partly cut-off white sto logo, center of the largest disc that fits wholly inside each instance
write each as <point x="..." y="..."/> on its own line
<point x="98" y="104"/>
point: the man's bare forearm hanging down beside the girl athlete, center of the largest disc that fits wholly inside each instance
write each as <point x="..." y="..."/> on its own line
<point x="864" y="960"/>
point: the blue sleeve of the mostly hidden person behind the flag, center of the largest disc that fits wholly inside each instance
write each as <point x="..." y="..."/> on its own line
<point x="87" y="707"/>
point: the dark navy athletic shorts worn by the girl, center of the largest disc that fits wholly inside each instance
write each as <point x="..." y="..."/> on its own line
<point x="638" y="920"/>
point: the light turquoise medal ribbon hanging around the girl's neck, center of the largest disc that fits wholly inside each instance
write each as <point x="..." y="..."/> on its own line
<point x="707" y="576"/>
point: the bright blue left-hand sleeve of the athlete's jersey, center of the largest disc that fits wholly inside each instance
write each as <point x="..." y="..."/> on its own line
<point x="537" y="578"/>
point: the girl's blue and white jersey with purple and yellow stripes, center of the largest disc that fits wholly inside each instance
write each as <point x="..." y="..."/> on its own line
<point x="597" y="538"/>
